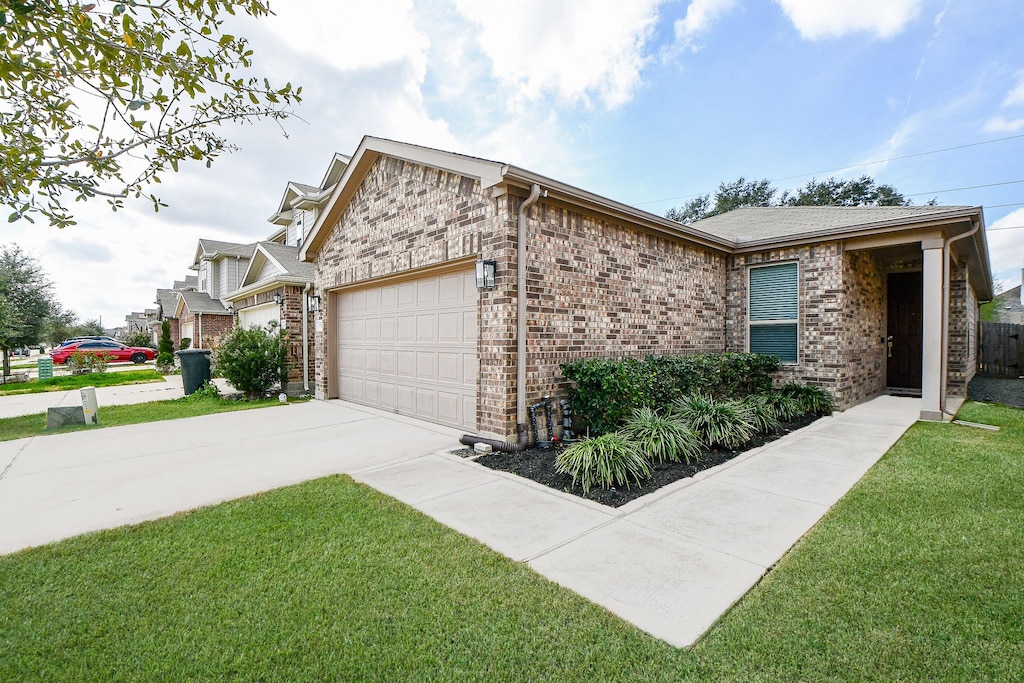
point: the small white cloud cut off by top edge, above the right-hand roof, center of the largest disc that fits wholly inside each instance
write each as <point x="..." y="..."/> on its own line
<point x="817" y="20"/>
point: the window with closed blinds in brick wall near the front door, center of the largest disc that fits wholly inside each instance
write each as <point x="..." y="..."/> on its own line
<point x="775" y="311"/>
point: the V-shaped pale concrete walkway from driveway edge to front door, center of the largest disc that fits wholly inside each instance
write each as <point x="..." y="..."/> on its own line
<point x="674" y="562"/>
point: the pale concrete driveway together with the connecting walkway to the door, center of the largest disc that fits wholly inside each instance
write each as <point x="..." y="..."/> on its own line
<point x="671" y="563"/>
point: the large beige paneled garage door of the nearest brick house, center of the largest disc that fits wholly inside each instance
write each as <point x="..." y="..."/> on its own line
<point x="411" y="348"/>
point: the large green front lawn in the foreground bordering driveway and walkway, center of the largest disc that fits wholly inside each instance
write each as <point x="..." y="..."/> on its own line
<point x="917" y="575"/>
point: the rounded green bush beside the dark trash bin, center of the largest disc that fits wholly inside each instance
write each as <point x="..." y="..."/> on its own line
<point x="253" y="360"/>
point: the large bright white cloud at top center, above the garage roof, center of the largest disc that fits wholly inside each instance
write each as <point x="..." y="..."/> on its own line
<point x="574" y="51"/>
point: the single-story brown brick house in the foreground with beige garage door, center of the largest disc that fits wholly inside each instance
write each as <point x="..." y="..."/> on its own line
<point x="405" y="327"/>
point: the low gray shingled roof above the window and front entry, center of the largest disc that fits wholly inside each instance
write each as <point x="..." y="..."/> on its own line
<point x="762" y="224"/>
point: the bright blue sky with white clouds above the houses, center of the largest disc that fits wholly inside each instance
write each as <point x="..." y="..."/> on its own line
<point x="647" y="102"/>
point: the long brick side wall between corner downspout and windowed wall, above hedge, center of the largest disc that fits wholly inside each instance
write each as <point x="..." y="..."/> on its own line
<point x="601" y="289"/>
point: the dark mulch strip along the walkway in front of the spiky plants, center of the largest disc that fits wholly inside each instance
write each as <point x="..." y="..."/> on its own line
<point x="539" y="465"/>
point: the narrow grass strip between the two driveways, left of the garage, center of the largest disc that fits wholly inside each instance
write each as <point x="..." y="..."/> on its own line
<point x="117" y="416"/>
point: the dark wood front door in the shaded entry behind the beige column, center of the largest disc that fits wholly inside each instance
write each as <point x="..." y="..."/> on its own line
<point x="905" y="331"/>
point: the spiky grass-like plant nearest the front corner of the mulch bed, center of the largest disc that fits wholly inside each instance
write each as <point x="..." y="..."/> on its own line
<point x="610" y="460"/>
